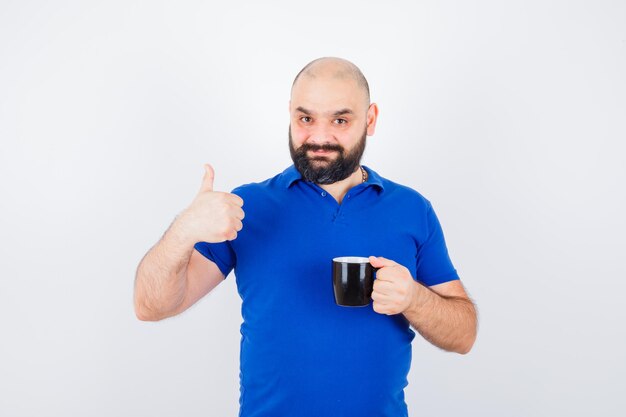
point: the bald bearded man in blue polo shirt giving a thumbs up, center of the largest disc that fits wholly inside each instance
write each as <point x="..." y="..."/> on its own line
<point x="301" y="354"/>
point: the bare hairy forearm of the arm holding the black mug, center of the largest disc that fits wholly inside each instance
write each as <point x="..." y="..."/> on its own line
<point x="449" y="323"/>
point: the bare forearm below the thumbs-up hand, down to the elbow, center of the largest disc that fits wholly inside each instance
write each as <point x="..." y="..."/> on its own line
<point x="160" y="282"/>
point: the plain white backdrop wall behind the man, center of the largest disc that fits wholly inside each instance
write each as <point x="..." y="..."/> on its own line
<point x="510" y="116"/>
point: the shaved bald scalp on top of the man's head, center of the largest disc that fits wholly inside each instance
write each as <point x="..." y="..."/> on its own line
<point x="336" y="68"/>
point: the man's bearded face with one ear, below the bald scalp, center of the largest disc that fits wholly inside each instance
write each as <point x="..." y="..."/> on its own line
<point x="330" y="121"/>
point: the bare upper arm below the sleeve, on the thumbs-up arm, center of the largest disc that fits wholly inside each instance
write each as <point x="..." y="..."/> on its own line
<point x="202" y="276"/>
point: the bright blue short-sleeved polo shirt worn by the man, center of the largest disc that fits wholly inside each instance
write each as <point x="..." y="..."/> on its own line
<point x="301" y="354"/>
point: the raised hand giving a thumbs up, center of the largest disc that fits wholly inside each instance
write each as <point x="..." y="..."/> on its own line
<point x="213" y="216"/>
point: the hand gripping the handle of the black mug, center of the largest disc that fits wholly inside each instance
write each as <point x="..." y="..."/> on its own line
<point x="394" y="287"/>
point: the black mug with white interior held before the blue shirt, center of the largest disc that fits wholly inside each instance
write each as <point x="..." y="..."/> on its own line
<point x="353" y="281"/>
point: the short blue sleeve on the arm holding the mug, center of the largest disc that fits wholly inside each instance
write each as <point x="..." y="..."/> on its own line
<point x="433" y="262"/>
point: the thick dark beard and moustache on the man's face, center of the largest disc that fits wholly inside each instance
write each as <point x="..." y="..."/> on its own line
<point x="321" y="169"/>
